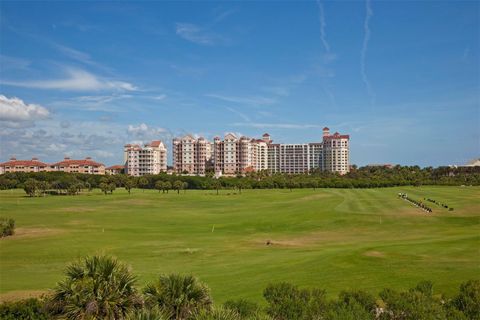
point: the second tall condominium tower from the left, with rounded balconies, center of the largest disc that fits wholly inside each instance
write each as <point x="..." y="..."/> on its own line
<point x="190" y="155"/>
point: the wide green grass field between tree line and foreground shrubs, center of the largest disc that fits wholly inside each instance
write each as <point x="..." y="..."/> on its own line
<point x="330" y="238"/>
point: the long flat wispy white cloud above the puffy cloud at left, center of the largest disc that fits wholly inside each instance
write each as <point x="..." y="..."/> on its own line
<point x="75" y="80"/>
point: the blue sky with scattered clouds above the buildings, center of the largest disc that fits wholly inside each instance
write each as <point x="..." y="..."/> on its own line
<point x="84" y="78"/>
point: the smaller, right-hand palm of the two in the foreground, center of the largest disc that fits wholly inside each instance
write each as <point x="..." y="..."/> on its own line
<point x="180" y="295"/>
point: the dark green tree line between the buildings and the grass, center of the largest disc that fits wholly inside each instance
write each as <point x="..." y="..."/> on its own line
<point x="42" y="183"/>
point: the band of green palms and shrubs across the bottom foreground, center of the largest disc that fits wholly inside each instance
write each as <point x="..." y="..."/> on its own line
<point x="101" y="287"/>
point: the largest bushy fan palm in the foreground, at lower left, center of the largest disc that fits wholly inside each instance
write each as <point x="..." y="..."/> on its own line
<point x="97" y="287"/>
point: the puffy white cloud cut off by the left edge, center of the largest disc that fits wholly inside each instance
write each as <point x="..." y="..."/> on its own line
<point x="15" y="110"/>
